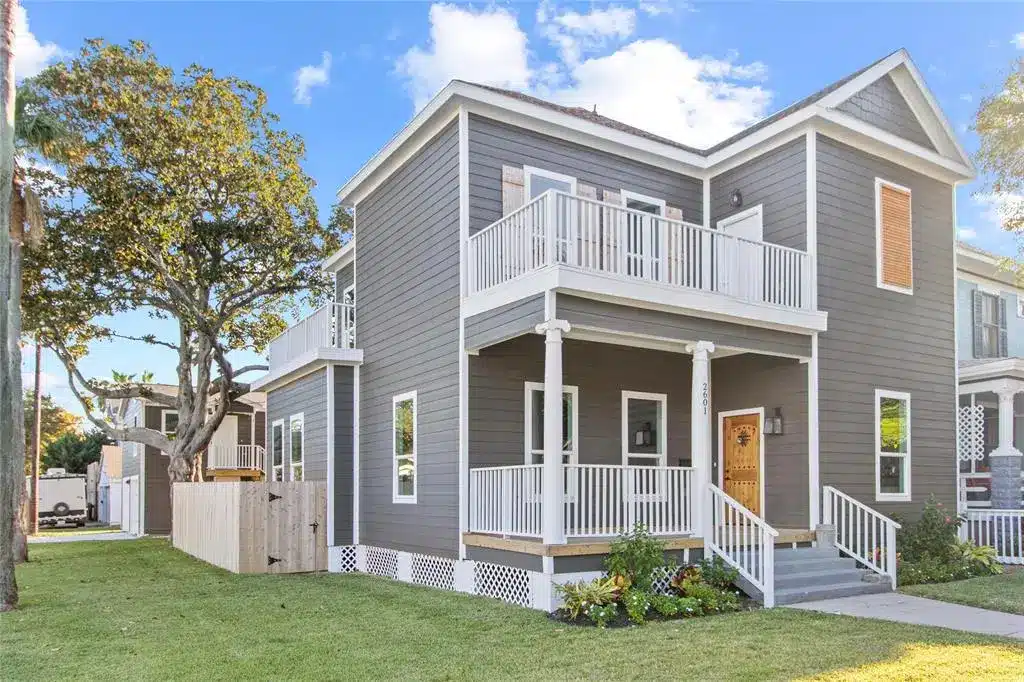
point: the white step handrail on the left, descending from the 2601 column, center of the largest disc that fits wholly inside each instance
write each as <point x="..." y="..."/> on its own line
<point x="744" y="541"/>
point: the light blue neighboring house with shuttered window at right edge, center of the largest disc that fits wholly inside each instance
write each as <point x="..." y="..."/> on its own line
<point x="991" y="344"/>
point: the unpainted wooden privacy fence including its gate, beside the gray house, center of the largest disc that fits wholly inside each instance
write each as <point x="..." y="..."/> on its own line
<point x="253" y="528"/>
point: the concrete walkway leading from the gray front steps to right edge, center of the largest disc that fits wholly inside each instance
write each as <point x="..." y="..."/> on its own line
<point x="918" y="611"/>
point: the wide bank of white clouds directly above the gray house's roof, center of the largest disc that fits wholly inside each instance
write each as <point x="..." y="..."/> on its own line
<point x="651" y="84"/>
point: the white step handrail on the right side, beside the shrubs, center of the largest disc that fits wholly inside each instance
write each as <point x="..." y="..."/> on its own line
<point x="861" y="532"/>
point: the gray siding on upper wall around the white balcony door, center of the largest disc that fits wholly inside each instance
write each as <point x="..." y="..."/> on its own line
<point x="778" y="181"/>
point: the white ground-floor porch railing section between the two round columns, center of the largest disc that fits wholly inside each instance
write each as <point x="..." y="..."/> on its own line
<point x="604" y="500"/>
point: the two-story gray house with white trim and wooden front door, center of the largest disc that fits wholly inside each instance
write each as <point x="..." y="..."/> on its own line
<point x="567" y="325"/>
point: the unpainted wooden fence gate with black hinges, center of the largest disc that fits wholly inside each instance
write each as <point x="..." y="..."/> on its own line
<point x="296" y="528"/>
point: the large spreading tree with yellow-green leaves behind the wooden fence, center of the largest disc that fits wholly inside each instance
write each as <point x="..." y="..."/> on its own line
<point x="183" y="198"/>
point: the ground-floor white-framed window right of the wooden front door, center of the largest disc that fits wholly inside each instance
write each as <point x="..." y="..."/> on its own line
<point x="892" y="446"/>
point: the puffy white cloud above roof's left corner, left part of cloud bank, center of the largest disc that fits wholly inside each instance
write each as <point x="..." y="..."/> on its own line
<point x="486" y="47"/>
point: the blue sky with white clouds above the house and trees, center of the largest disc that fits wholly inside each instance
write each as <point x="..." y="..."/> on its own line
<point x="348" y="76"/>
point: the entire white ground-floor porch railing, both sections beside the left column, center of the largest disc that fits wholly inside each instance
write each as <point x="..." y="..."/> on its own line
<point x="600" y="500"/>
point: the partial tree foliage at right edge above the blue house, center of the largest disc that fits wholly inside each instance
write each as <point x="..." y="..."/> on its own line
<point x="1000" y="125"/>
